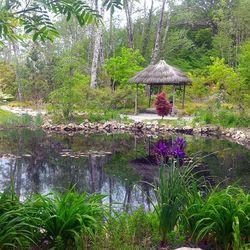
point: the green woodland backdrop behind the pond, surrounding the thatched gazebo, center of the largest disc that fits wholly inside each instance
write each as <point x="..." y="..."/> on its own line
<point x="87" y="67"/>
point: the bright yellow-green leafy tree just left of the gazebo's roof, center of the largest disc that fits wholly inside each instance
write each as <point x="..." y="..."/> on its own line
<point x="122" y="68"/>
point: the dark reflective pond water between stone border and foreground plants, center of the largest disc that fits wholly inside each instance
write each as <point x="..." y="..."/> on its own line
<point x="40" y="162"/>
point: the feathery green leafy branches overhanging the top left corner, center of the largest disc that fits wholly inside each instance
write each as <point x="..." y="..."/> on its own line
<point x="35" y="18"/>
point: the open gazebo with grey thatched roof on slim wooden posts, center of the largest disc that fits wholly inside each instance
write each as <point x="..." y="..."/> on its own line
<point x="160" y="74"/>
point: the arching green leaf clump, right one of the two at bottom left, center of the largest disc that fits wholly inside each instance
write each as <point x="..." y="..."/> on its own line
<point x="68" y="219"/>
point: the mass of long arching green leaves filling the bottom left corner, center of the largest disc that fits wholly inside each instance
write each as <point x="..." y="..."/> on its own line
<point x="63" y="220"/>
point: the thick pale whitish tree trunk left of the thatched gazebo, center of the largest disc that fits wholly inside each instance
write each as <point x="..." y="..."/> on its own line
<point x="96" y="52"/>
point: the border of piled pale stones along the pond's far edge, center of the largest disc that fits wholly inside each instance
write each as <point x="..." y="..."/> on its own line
<point x="240" y="136"/>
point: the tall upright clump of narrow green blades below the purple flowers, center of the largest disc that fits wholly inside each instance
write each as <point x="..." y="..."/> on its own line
<point x="175" y="186"/>
